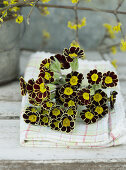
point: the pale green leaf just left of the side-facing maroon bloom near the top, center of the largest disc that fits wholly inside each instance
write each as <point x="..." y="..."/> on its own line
<point x="55" y="66"/>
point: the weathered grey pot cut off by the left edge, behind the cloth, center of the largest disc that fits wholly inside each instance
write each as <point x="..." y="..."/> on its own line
<point x="9" y="51"/>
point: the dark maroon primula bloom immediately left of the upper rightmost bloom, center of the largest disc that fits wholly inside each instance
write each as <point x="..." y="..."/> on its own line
<point x="94" y="77"/>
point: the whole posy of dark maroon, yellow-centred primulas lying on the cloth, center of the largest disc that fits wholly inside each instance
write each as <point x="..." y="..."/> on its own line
<point x="55" y="99"/>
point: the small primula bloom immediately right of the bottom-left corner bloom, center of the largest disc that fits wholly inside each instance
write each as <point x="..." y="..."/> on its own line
<point x="44" y="120"/>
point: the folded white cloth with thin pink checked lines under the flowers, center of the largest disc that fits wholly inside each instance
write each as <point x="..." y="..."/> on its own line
<point x="108" y="131"/>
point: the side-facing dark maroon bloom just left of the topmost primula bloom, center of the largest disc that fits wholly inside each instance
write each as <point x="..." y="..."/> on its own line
<point x="62" y="60"/>
